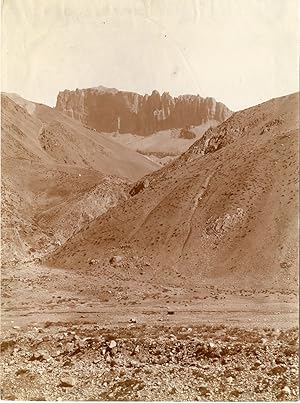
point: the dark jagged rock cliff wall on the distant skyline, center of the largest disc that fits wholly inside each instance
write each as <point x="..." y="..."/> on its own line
<point x="110" y="110"/>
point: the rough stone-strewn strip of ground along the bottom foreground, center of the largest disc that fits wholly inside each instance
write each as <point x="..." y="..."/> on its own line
<point x="140" y="362"/>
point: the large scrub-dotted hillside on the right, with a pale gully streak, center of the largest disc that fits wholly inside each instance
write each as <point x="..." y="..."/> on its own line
<point x="225" y="212"/>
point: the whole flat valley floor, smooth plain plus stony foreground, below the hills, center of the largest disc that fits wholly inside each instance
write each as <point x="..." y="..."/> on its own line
<point x="74" y="335"/>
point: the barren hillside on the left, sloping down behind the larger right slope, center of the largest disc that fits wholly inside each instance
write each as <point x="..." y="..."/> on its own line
<point x="52" y="167"/>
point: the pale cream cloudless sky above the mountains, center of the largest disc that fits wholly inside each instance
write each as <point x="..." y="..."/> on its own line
<point x="241" y="52"/>
